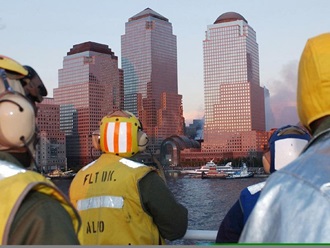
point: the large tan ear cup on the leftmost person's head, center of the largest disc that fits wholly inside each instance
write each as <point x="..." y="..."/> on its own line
<point x="17" y="117"/>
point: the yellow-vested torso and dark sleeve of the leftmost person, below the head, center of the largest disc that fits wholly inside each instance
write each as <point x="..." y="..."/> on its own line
<point x="32" y="208"/>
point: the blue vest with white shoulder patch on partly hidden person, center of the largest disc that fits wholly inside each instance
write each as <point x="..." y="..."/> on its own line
<point x="248" y="198"/>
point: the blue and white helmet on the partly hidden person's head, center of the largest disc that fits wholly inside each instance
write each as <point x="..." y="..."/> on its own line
<point x="285" y="145"/>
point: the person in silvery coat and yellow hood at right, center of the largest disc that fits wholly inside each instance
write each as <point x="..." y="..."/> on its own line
<point x="294" y="204"/>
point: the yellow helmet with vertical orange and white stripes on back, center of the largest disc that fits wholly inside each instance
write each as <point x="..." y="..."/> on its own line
<point x="119" y="134"/>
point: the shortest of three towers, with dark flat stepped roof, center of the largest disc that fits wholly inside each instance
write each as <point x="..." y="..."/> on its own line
<point x="90" y="86"/>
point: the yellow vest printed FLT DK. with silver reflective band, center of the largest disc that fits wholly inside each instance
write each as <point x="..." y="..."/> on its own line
<point x="106" y="194"/>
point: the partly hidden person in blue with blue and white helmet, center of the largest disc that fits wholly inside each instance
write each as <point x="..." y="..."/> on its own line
<point x="285" y="144"/>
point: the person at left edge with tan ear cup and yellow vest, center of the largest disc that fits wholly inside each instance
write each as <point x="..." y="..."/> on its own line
<point x="33" y="211"/>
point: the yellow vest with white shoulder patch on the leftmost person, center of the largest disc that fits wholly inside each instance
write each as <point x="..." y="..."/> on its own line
<point x="15" y="184"/>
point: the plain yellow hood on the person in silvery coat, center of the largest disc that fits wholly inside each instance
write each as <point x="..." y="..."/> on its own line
<point x="313" y="101"/>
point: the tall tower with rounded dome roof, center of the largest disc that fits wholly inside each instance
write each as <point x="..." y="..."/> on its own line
<point x="233" y="98"/>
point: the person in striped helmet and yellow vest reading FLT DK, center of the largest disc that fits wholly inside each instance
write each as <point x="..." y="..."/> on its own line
<point x="120" y="201"/>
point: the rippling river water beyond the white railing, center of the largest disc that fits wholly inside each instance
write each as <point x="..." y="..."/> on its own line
<point x="207" y="200"/>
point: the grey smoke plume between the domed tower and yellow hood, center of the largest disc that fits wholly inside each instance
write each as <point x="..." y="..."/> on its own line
<point x="283" y="97"/>
